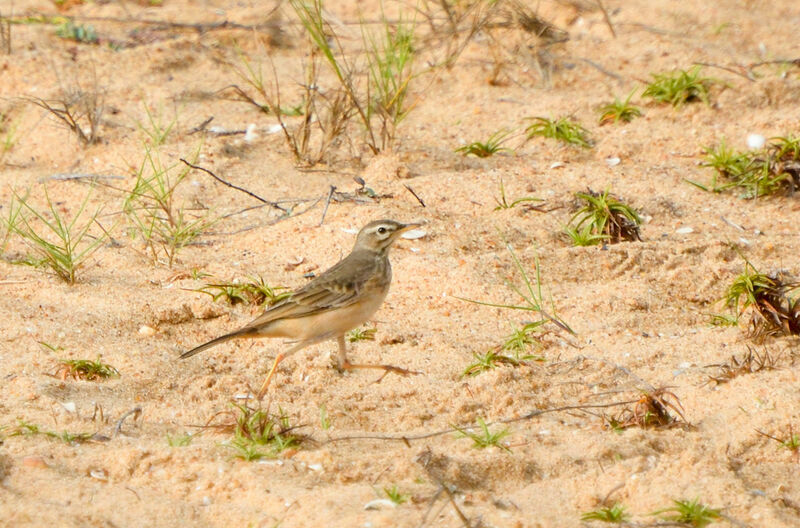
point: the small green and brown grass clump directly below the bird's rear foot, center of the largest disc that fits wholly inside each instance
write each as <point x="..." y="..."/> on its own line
<point x="257" y="433"/>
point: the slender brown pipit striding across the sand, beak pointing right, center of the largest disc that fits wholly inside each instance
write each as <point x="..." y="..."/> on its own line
<point x="342" y="298"/>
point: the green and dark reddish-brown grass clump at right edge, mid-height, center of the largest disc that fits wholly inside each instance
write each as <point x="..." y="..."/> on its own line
<point x="773" y="301"/>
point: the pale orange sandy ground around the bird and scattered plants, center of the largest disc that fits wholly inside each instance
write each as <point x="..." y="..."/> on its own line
<point x="640" y="310"/>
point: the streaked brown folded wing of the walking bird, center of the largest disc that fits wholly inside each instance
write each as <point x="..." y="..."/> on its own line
<point x="333" y="289"/>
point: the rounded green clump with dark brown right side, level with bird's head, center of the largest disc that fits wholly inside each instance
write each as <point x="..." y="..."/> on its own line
<point x="603" y="219"/>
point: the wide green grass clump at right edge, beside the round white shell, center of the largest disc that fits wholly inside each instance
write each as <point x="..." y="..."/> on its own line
<point x="772" y="170"/>
